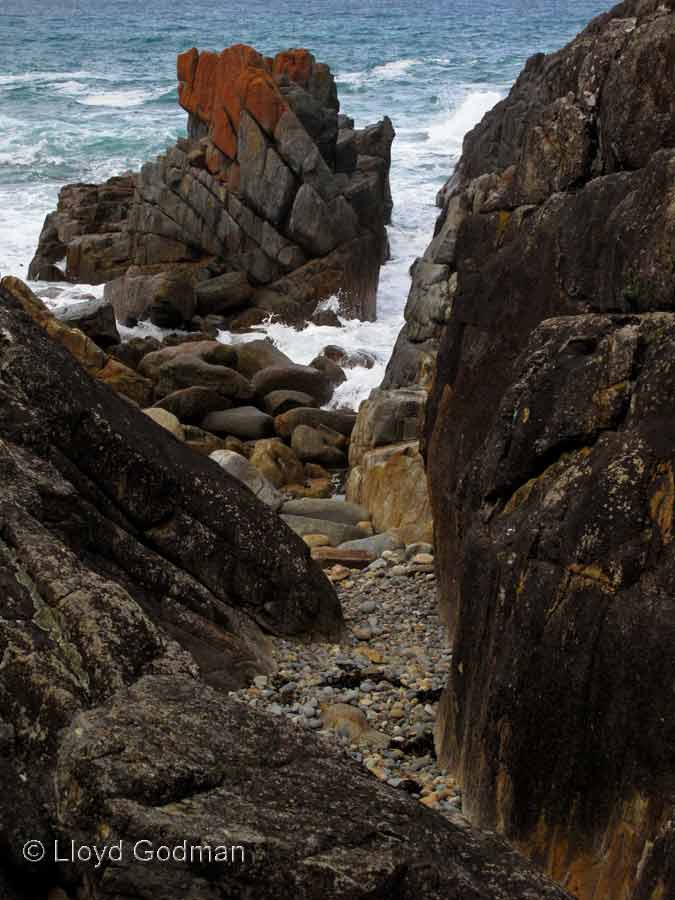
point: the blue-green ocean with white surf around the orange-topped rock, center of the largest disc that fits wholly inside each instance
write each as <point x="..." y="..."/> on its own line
<point x="88" y="90"/>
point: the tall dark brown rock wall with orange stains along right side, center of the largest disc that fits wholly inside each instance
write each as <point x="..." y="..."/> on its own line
<point x="550" y="457"/>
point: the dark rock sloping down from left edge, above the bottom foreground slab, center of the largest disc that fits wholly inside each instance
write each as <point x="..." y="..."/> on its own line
<point x="118" y="559"/>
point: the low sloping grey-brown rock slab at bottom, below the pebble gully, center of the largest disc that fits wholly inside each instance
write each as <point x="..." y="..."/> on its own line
<point x="314" y="824"/>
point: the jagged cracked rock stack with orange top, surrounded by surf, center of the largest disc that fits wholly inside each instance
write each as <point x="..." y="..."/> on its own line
<point x="272" y="204"/>
